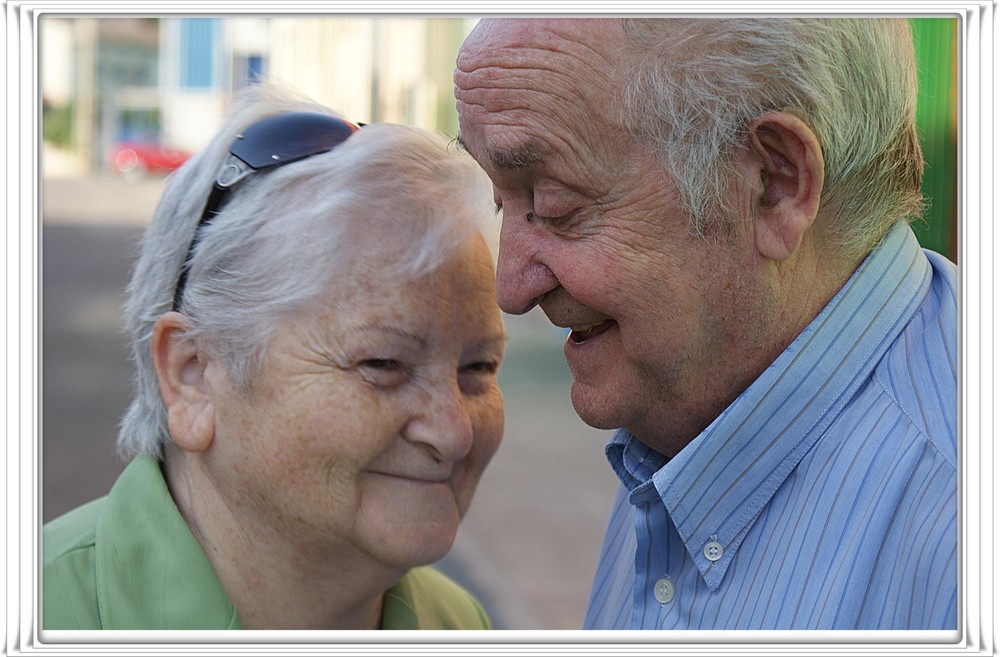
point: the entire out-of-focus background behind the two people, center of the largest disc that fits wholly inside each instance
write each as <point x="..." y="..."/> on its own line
<point x="126" y="100"/>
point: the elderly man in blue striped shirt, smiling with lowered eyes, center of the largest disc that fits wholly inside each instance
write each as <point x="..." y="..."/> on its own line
<point x="717" y="211"/>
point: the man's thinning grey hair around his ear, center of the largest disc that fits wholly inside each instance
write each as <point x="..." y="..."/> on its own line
<point x="697" y="85"/>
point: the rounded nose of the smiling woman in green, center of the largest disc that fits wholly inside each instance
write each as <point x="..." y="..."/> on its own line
<point x="444" y="424"/>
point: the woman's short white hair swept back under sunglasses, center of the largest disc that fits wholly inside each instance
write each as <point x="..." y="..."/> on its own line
<point x="285" y="238"/>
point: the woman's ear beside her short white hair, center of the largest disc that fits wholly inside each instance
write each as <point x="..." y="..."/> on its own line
<point x="180" y="368"/>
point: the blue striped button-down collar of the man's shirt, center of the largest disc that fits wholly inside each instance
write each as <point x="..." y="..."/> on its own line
<point x="716" y="487"/>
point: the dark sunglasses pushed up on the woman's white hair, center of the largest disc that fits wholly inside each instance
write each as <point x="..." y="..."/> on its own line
<point x="267" y="144"/>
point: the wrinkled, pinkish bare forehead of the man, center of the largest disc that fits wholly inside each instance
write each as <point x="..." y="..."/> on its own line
<point x="525" y="89"/>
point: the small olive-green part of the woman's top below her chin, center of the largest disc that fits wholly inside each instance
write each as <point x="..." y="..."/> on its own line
<point x="427" y="599"/>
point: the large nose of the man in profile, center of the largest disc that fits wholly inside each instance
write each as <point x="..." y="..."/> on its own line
<point x="523" y="276"/>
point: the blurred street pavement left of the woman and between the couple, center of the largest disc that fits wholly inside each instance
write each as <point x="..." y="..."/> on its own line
<point x="527" y="548"/>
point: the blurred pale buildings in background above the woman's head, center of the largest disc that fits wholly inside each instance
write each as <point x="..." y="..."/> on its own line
<point x="167" y="80"/>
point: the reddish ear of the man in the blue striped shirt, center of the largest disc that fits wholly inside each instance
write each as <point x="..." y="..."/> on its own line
<point x="789" y="162"/>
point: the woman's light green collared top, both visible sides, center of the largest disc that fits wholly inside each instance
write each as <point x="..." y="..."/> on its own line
<point x="129" y="561"/>
